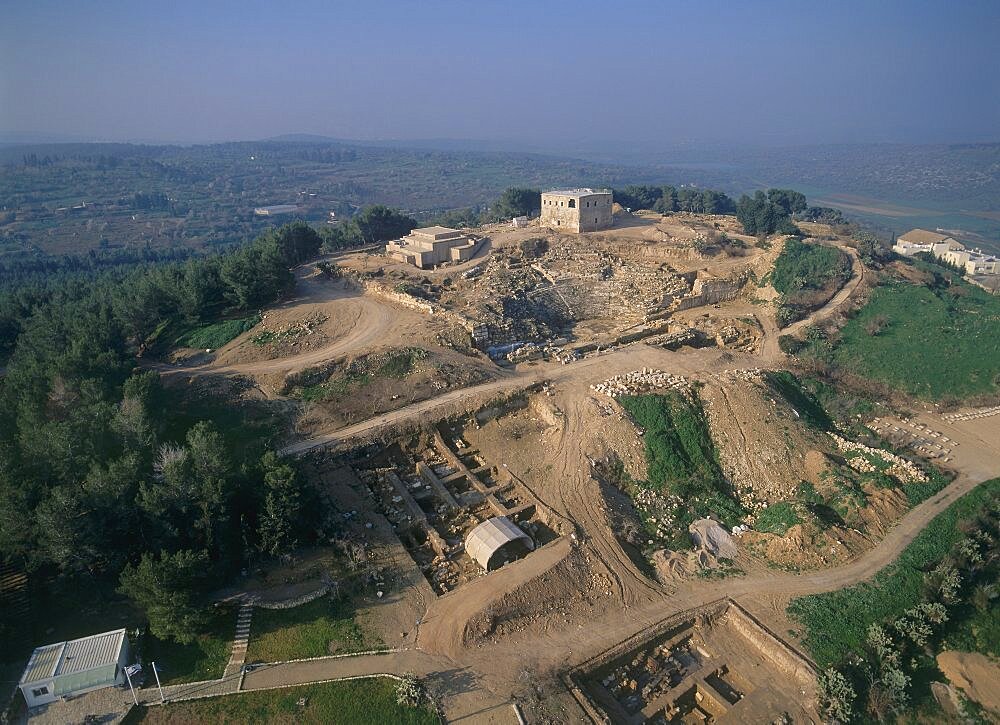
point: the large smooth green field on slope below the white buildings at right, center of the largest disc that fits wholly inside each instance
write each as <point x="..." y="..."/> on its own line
<point x="930" y="343"/>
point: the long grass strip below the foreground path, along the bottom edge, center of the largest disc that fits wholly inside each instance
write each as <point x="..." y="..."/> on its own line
<point x="354" y="702"/>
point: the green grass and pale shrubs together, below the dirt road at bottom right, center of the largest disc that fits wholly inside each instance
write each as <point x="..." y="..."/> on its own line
<point x="878" y="639"/>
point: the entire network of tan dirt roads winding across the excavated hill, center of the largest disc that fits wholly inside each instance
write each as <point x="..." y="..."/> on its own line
<point x="490" y="673"/>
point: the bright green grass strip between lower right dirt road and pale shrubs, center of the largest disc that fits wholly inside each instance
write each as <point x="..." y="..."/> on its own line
<point x="835" y="623"/>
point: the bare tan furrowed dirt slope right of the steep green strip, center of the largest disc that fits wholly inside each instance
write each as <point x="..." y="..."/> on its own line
<point x="763" y="446"/>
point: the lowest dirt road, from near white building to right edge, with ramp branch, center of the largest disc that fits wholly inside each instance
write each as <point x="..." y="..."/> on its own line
<point x="474" y="683"/>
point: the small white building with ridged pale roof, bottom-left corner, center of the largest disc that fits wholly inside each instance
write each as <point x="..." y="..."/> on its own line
<point x="80" y="665"/>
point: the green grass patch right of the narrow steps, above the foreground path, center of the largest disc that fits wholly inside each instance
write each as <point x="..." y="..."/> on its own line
<point x="319" y="628"/>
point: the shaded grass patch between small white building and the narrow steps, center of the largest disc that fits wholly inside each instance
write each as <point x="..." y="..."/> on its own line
<point x="203" y="659"/>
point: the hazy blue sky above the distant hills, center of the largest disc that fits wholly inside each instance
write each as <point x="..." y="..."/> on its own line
<point x="532" y="72"/>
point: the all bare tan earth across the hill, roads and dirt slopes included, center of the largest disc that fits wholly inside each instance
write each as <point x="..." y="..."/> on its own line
<point x="510" y="633"/>
